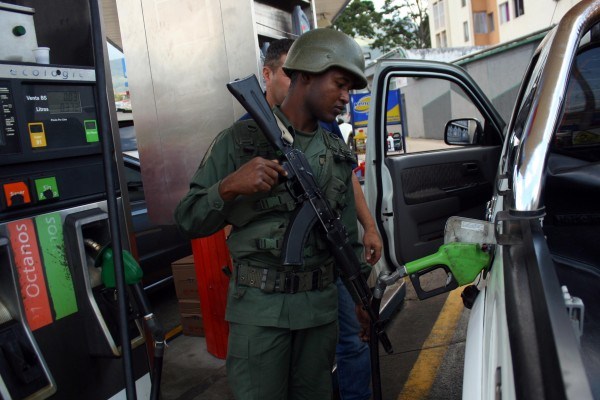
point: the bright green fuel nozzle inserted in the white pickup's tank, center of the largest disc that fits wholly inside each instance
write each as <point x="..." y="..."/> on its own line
<point x="462" y="262"/>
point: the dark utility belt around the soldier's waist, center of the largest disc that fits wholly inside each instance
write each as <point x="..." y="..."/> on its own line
<point x="271" y="280"/>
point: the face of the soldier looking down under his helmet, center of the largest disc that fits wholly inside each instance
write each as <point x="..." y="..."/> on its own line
<point x="329" y="93"/>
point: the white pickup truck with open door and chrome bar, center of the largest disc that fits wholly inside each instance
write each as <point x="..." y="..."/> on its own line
<point x="534" y="327"/>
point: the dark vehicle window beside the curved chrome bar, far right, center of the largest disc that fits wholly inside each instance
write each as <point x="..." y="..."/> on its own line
<point x="573" y="175"/>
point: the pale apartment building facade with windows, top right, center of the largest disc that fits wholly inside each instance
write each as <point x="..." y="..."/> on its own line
<point x="457" y="23"/>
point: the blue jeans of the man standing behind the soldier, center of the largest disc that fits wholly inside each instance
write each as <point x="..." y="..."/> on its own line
<point x="352" y="355"/>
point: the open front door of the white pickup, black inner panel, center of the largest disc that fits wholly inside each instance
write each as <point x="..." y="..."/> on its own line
<point x="452" y="142"/>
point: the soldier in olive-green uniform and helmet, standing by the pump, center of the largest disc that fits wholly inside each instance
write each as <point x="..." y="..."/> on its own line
<point x="282" y="337"/>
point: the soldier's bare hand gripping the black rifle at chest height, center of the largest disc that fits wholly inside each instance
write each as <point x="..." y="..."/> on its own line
<point x="257" y="175"/>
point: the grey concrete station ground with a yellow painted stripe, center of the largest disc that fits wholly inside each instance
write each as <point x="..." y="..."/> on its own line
<point x="426" y="364"/>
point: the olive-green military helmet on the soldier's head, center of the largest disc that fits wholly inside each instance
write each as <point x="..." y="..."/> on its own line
<point x="320" y="49"/>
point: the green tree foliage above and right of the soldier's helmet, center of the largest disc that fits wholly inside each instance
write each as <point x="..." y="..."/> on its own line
<point x="401" y="23"/>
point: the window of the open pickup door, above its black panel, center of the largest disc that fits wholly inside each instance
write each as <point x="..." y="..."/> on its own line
<point x="426" y="106"/>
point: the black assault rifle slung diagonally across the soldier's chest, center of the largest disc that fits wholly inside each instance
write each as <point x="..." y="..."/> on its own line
<point x="313" y="206"/>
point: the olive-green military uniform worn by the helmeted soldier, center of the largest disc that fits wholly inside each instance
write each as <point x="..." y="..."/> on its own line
<point x="281" y="345"/>
